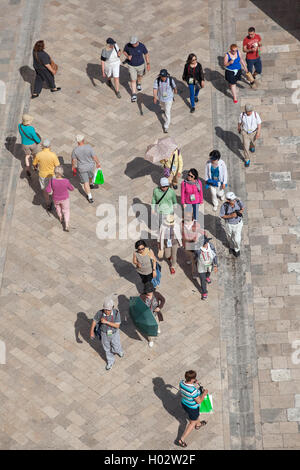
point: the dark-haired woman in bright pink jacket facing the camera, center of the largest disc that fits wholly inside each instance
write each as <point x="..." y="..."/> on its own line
<point x="191" y="193"/>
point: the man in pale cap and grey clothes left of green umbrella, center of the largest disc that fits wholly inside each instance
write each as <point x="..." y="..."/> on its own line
<point x="106" y="325"/>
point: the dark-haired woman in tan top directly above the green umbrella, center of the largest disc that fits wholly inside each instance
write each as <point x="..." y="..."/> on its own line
<point x="144" y="261"/>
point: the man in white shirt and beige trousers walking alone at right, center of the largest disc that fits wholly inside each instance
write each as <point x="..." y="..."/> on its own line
<point x="249" y="126"/>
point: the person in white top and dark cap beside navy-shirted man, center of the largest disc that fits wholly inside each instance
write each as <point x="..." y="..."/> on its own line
<point x="110" y="64"/>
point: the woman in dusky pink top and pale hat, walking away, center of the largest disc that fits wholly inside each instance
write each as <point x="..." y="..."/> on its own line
<point x="60" y="187"/>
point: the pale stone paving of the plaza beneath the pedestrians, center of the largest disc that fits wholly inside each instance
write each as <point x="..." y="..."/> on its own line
<point x="245" y="340"/>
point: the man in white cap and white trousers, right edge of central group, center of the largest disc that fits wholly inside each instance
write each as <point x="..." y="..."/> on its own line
<point x="232" y="212"/>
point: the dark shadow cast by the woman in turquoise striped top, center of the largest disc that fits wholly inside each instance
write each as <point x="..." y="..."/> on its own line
<point x="171" y="403"/>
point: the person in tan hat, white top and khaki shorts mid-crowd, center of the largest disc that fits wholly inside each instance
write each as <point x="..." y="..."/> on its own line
<point x="170" y="240"/>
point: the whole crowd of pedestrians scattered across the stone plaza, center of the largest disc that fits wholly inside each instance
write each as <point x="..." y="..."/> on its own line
<point x="187" y="232"/>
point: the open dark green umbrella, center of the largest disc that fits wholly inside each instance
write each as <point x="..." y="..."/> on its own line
<point x="142" y="317"/>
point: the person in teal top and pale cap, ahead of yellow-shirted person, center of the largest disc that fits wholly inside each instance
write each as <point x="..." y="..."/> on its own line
<point x="30" y="141"/>
